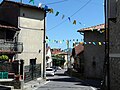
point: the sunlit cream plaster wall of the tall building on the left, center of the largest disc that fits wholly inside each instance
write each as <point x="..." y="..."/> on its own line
<point x="31" y="34"/>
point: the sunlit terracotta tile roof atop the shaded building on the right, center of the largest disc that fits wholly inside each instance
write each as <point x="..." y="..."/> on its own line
<point x="97" y="27"/>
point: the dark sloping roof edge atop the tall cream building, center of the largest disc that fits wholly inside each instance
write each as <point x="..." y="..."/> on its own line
<point x="22" y="4"/>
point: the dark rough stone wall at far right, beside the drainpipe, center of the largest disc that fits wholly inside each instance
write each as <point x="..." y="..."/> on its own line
<point x="114" y="50"/>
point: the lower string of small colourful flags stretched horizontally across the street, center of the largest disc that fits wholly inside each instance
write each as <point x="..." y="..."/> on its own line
<point x="75" y="42"/>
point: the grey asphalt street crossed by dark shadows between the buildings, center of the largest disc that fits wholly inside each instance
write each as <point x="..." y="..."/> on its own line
<point x="63" y="82"/>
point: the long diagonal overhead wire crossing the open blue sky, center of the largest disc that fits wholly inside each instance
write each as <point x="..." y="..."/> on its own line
<point x="71" y="15"/>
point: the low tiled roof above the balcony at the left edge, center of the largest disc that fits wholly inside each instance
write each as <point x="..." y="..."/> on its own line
<point x="4" y="25"/>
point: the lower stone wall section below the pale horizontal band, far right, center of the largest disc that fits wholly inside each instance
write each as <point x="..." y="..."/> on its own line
<point x="115" y="73"/>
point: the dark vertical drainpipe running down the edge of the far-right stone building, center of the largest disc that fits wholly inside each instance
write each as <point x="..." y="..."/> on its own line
<point x="107" y="75"/>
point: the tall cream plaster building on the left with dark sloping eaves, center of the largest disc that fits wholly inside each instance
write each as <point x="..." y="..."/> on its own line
<point x="31" y="22"/>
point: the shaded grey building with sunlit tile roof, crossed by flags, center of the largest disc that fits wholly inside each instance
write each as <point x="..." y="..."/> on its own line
<point x="94" y="51"/>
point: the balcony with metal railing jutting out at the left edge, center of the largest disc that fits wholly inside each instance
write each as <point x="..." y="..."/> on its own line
<point x="11" y="47"/>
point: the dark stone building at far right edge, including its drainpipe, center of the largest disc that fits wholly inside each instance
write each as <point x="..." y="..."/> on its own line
<point x="113" y="23"/>
